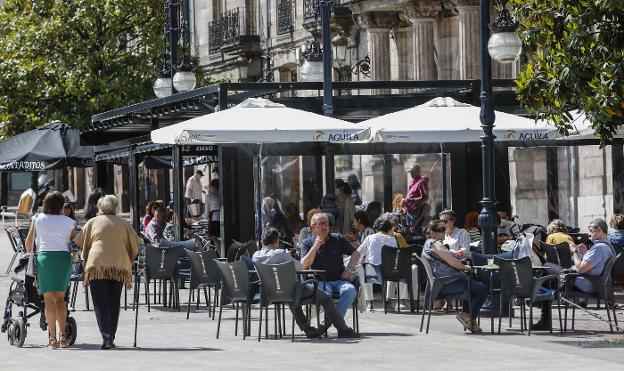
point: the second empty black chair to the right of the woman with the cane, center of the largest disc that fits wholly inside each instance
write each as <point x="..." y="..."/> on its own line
<point x="204" y="275"/>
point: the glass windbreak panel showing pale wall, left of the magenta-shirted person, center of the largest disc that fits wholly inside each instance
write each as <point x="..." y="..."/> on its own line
<point x="364" y="174"/>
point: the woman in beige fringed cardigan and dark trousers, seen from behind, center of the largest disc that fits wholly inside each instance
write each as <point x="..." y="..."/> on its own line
<point x="109" y="247"/>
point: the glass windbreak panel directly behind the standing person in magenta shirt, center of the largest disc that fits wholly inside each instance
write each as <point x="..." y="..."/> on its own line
<point x="431" y="170"/>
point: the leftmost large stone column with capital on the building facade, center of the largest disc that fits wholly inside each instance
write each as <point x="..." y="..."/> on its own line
<point x="378" y="26"/>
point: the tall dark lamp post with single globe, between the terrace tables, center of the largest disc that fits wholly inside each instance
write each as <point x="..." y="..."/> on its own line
<point x="504" y="46"/>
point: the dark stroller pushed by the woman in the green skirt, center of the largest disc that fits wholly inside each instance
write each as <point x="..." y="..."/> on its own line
<point x="23" y="303"/>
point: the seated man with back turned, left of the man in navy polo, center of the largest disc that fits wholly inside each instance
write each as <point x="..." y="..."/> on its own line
<point x="272" y="254"/>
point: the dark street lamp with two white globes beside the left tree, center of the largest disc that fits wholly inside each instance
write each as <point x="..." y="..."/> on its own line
<point x="174" y="77"/>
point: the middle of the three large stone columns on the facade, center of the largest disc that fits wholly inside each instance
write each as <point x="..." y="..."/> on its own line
<point x="422" y="15"/>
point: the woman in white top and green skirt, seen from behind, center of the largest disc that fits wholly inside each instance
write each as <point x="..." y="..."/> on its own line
<point x="52" y="231"/>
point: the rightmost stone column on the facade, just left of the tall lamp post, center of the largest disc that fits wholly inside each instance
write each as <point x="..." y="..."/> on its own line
<point x="469" y="34"/>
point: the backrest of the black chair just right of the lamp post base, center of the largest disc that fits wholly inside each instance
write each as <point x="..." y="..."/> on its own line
<point x="516" y="275"/>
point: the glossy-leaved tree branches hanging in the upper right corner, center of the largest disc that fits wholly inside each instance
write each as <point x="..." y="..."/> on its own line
<point x="575" y="54"/>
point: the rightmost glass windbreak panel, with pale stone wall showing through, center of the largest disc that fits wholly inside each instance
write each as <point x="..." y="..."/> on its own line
<point x="585" y="184"/>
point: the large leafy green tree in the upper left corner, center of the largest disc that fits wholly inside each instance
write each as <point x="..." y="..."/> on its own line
<point x="70" y="59"/>
